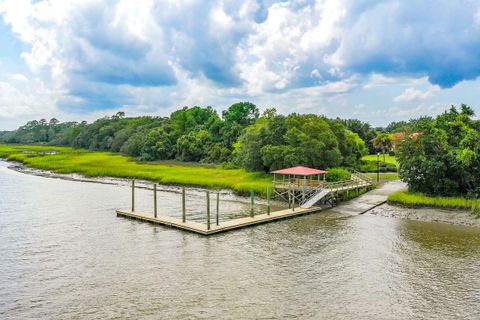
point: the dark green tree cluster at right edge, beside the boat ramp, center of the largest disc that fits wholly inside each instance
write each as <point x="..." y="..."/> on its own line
<point x="444" y="158"/>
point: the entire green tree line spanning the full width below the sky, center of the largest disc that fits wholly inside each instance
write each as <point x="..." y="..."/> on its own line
<point x="437" y="156"/>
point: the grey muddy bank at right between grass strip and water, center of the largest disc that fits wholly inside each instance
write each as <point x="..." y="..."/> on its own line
<point x="458" y="217"/>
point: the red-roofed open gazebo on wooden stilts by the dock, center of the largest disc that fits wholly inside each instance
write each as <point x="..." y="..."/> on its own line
<point x="298" y="182"/>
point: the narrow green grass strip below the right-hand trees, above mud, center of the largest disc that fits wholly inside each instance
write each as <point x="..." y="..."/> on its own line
<point x="420" y="200"/>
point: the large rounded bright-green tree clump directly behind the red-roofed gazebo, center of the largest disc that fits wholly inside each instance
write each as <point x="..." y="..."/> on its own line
<point x="277" y="141"/>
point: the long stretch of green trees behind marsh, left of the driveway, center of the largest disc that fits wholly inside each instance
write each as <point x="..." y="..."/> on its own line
<point x="239" y="137"/>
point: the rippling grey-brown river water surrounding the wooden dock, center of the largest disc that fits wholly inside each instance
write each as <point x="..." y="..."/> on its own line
<point x="65" y="255"/>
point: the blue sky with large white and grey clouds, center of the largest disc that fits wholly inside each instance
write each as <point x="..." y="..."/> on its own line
<point x="378" y="61"/>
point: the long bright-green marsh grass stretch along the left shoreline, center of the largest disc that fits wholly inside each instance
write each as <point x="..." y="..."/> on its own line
<point x="105" y="164"/>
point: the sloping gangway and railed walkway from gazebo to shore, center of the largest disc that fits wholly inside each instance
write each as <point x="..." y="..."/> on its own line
<point x="330" y="189"/>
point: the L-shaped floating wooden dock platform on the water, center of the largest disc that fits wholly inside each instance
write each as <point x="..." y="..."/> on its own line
<point x="233" y="224"/>
